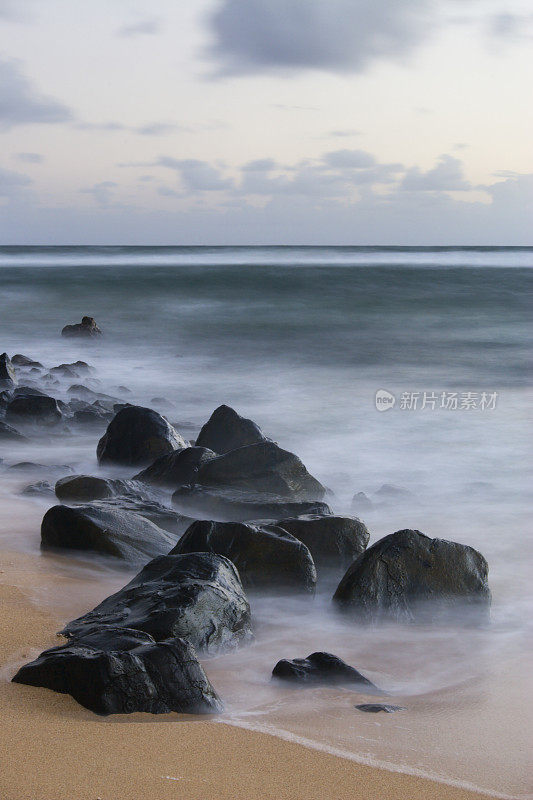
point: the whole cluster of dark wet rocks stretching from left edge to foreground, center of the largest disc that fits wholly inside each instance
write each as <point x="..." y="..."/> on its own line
<point x="245" y="515"/>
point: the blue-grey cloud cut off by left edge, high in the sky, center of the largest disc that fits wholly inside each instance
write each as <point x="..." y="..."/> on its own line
<point x="21" y="104"/>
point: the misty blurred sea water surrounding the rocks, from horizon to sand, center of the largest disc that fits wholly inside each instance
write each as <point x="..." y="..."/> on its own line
<point x="300" y="340"/>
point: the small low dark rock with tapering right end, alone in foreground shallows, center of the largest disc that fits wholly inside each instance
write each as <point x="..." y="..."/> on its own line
<point x="322" y="668"/>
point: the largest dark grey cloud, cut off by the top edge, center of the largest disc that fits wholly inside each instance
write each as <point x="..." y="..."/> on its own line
<point x="251" y="36"/>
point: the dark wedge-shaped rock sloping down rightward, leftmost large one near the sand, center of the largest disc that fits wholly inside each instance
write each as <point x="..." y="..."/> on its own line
<point x="111" y="531"/>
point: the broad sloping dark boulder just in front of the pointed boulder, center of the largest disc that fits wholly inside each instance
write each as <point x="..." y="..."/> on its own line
<point x="262" y="467"/>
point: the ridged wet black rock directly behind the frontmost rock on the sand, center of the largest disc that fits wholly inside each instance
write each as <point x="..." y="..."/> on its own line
<point x="197" y="596"/>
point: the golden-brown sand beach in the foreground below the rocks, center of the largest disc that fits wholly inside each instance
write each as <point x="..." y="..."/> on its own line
<point x="53" y="749"/>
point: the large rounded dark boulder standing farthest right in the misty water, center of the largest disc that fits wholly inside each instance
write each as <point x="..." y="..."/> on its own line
<point x="409" y="577"/>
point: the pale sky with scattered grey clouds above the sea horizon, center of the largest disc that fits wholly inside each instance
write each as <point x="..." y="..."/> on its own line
<point x="266" y="121"/>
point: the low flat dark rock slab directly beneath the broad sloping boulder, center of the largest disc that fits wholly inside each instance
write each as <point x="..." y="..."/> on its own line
<point x="227" y="505"/>
